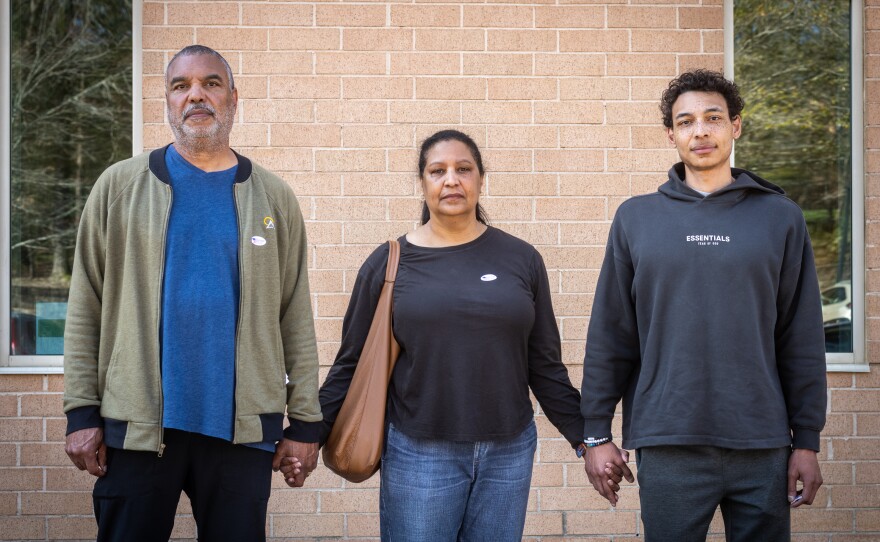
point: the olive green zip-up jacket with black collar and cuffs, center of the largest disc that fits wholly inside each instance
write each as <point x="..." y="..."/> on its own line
<point x="112" y="366"/>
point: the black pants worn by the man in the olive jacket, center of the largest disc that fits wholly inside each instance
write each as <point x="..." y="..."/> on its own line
<point x="228" y="486"/>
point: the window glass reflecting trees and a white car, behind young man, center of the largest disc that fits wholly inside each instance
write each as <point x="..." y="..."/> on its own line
<point x="792" y="63"/>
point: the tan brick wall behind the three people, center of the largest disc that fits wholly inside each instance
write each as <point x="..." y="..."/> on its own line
<point x="563" y="99"/>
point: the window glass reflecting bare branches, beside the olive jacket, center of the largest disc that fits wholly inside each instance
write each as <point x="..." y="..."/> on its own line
<point x="71" y="117"/>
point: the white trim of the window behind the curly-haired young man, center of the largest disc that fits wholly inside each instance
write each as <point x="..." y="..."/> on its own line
<point x="854" y="362"/>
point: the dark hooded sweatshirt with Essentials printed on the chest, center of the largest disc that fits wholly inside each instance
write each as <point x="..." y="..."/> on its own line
<point x="707" y="321"/>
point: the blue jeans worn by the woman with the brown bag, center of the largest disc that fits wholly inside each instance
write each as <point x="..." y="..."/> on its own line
<point x="441" y="490"/>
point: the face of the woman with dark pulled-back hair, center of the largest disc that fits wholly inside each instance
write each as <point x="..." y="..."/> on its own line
<point x="451" y="181"/>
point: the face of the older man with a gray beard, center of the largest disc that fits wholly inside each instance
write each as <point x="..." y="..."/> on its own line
<point x="201" y="104"/>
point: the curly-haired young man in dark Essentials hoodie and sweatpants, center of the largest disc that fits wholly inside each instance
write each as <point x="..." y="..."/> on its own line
<point x="707" y="323"/>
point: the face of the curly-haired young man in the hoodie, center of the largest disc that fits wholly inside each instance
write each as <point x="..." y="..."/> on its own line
<point x="702" y="130"/>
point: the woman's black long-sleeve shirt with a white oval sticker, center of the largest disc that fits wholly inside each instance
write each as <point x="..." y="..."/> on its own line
<point x="476" y="329"/>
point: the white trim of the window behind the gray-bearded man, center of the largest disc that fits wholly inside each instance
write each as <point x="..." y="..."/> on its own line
<point x="45" y="364"/>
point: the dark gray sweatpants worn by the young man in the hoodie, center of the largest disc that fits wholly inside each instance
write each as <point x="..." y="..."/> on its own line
<point x="680" y="487"/>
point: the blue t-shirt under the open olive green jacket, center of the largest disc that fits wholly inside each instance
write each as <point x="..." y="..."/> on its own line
<point x="200" y="300"/>
